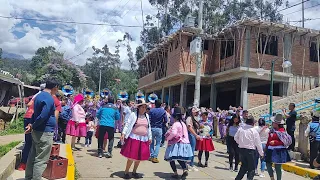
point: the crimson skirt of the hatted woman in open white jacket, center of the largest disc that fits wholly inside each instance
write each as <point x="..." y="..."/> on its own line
<point x="136" y="150"/>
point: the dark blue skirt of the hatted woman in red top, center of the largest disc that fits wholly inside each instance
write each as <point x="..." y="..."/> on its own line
<point x="277" y="156"/>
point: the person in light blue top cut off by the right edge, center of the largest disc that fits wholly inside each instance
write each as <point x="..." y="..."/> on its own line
<point x="313" y="132"/>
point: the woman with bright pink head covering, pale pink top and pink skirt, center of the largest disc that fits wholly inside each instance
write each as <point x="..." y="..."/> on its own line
<point x="76" y="126"/>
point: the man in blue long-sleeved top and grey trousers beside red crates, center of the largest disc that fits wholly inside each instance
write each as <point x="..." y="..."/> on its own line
<point x="42" y="127"/>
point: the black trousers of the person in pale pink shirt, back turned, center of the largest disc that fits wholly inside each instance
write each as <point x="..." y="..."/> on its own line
<point x="247" y="163"/>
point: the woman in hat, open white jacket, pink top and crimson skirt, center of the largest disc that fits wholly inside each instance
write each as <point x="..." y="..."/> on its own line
<point x="136" y="138"/>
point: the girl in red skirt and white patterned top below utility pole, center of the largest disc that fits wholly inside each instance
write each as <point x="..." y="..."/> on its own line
<point x="205" y="143"/>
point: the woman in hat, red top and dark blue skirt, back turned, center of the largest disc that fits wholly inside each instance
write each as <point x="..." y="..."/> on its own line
<point x="278" y="142"/>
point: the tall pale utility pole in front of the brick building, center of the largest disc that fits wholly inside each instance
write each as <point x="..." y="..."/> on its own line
<point x="199" y="59"/>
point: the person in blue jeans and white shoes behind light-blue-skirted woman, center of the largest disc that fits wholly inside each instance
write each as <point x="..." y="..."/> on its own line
<point x="193" y="128"/>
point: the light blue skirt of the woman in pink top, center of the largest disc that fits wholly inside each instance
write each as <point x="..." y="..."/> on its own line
<point x="178" y="151"/>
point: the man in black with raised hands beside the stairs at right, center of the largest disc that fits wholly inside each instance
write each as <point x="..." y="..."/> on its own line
<point x="291" y="123"/>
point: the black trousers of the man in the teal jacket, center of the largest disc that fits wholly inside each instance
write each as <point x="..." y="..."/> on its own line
<point x="102" y="131"/>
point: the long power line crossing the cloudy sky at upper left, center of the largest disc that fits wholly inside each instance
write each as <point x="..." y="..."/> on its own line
<point x="69" y="22"/>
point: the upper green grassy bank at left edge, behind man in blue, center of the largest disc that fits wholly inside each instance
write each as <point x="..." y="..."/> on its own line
<point x="16" y="127"/>
